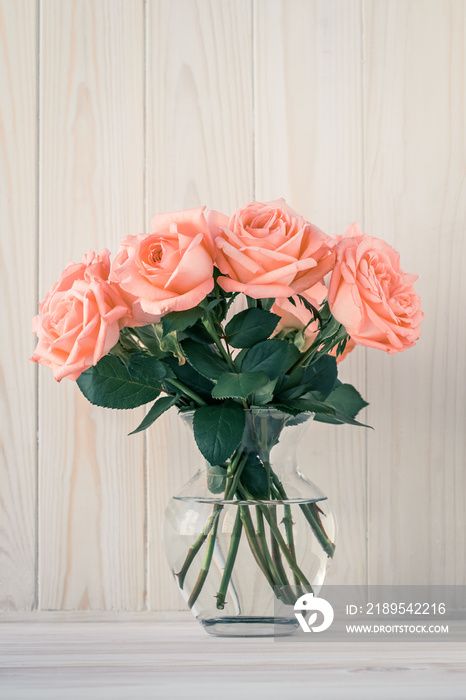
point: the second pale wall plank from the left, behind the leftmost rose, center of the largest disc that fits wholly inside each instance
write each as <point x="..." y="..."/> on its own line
<point x="92" y="508"/>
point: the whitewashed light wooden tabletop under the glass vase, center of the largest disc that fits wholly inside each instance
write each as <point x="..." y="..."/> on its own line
<point x="167" y="660"/>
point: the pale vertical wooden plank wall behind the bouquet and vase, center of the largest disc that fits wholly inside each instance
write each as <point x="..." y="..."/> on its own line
<point x="114" y="110"/>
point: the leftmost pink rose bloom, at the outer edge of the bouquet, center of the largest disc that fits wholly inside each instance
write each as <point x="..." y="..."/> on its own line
<point x="80" y="319"/>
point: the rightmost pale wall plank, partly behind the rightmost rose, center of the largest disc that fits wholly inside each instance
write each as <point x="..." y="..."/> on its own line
<point x="415" y="146"/>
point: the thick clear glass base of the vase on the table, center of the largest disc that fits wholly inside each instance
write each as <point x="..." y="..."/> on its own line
<point x="249" y="626"/>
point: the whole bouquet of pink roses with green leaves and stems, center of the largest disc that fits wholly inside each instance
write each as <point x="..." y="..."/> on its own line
<point x="157" y="325"/>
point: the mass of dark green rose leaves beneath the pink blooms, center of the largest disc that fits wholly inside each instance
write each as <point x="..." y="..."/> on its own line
<point x="190" y="356"/>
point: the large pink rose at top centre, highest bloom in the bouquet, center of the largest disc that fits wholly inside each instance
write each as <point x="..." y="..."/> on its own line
<point x="268" y="250"/>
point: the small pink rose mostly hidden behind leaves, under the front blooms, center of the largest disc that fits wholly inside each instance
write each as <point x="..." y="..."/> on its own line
<point x="296" y="317"/>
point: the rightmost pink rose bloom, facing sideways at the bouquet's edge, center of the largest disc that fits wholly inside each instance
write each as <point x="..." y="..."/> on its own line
<point x="371" y="296"/>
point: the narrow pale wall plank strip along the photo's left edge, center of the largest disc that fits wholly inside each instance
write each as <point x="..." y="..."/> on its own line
<point x="18" y="163"/>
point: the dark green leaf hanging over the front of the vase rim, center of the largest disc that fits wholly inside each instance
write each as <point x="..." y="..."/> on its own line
<point x="218" y="430"/>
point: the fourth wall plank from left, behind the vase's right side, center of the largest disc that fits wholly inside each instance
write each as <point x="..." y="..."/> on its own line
<point x="308" y="87"/>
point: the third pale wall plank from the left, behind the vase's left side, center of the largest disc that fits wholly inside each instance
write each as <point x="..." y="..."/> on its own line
<point x="199" y="151"/>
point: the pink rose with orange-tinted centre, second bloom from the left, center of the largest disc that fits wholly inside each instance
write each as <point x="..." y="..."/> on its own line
<point x="170" y="269"/>
